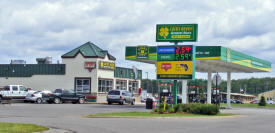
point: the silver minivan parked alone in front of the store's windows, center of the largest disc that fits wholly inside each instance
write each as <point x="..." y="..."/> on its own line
<point x="120" y="96"/>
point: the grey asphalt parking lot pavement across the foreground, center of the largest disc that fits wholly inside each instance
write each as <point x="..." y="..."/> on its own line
<point x="71" y="117"/>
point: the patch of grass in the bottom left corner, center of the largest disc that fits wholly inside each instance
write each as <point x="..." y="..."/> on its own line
<point x="20" y="128"/>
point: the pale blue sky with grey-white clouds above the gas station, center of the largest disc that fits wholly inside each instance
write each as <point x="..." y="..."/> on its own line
<point x="33" y="29"/>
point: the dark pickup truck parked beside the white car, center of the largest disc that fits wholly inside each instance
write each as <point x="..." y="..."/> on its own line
<point x="62" y="95"/>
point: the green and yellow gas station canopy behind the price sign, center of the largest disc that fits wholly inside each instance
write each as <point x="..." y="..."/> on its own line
<point x="209" y="59"/>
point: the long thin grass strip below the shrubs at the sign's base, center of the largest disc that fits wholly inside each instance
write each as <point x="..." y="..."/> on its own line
<point x="149" y="114"/>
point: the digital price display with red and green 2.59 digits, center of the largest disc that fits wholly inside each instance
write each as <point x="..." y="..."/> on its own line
<point x="183" y="53"/>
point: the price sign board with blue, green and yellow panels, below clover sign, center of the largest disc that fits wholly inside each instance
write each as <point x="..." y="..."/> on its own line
<point x="176" y="62"/>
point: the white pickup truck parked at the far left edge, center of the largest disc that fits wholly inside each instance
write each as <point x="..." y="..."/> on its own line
<point x="13" y="92"/>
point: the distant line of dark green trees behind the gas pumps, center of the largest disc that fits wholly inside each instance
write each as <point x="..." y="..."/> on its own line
<point x="252" y="86"/>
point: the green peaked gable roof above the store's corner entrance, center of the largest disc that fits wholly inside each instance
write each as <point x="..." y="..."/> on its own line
<point x="88" y="50"/>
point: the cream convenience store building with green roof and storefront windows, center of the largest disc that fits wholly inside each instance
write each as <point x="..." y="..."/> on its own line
<point x="86" y="69"/>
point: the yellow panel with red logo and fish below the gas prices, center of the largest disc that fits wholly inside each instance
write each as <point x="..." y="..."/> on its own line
<point x="175" y="67"/>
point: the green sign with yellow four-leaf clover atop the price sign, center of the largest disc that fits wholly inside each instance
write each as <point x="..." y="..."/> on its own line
<point x="176" y="32"/>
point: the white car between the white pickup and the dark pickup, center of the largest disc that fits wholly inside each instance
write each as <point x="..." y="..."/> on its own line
<point x="37" y="96"/>
